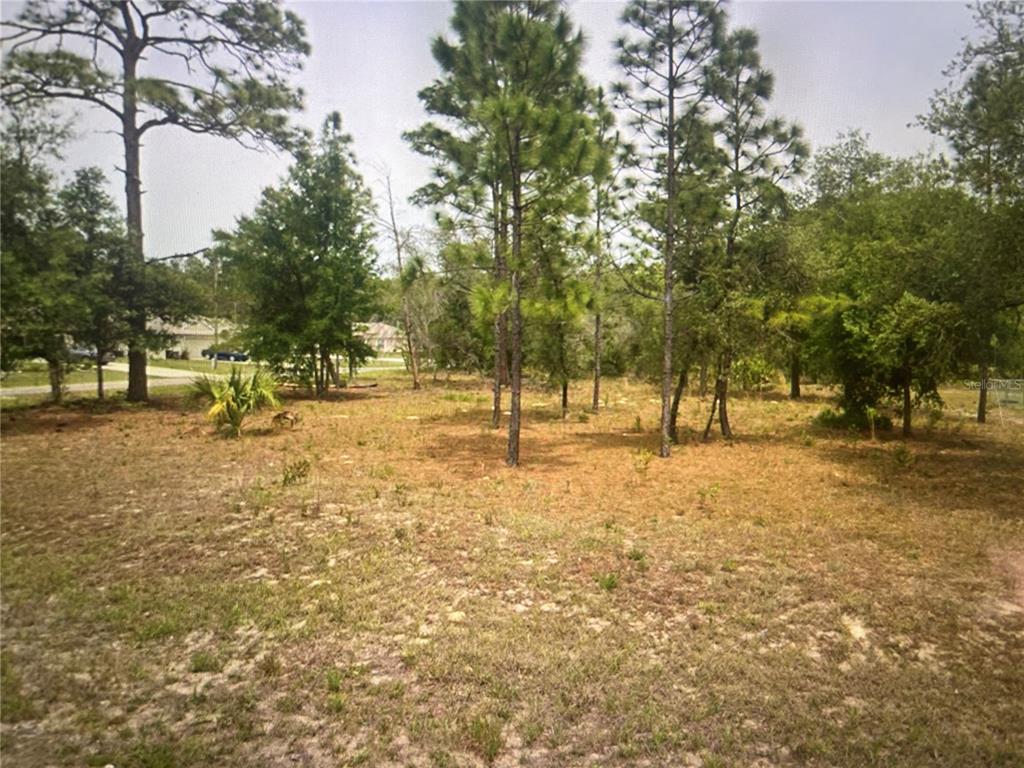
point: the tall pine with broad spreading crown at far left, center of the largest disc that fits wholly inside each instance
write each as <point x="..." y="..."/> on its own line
<point x="238" y="57"/>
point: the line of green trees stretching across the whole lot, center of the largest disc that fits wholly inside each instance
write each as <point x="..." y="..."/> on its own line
<point x="669" y="227"/>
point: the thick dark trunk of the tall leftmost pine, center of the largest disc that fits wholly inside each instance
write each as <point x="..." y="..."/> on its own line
<point x="138" y="386"/>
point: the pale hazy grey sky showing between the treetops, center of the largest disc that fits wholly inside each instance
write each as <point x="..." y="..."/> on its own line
<point x="838" y="66"/>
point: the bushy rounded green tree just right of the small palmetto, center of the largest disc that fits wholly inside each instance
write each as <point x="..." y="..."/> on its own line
<point x="306" y="260"/>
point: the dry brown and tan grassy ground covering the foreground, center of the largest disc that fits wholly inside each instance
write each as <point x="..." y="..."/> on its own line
<point x="375" y="588"/>
